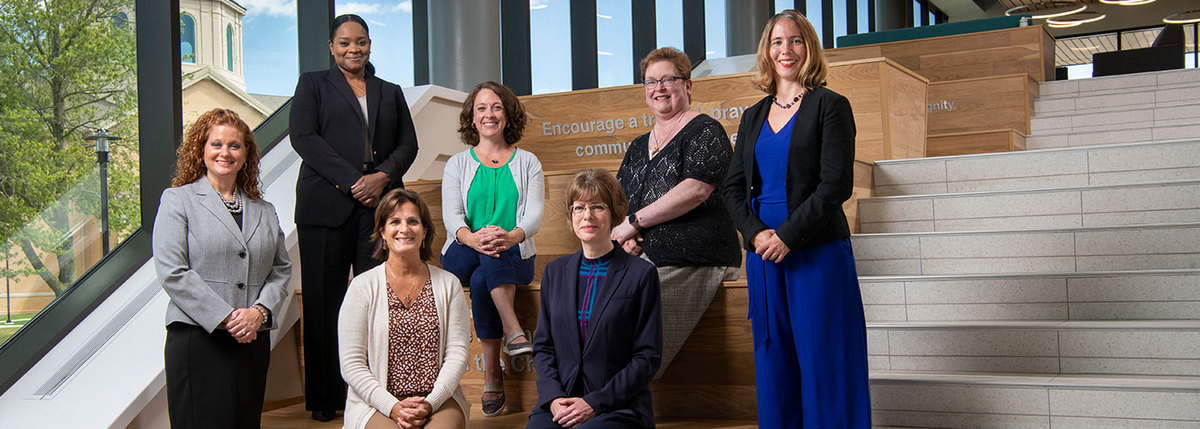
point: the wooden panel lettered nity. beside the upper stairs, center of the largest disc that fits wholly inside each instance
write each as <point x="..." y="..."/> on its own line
<point x="982" y="104"/>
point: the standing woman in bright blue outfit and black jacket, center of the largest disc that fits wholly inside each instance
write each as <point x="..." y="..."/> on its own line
<point x="791" y="172"/>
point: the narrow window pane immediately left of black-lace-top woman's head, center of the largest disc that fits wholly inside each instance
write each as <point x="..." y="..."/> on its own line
<point x="615" y="44"/>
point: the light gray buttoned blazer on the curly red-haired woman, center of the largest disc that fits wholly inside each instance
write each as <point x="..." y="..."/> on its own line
<point x="208" y="265"/>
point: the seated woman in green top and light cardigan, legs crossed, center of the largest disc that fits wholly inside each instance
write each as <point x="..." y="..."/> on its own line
<point x="491" y="204"/>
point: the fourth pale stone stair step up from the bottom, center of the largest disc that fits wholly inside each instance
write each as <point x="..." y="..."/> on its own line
<point x="1076" y="250"/>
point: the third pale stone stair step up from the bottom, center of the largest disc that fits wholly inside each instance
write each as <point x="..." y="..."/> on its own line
<point x="1115" y="295"/>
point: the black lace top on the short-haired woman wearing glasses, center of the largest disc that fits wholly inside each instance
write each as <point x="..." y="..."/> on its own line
<point x="704" y="237"/>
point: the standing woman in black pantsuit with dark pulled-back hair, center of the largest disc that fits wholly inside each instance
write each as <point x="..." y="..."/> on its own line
<point x="357" y="140"/>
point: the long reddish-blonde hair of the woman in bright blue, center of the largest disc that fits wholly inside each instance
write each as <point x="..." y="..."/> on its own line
<point x="815" y="68"/>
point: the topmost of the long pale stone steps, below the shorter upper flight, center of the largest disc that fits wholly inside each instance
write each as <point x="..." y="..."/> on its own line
<point x="1040" y="170"/>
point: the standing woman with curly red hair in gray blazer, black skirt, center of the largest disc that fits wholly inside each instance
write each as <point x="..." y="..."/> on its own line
<point x="220" y="256"/>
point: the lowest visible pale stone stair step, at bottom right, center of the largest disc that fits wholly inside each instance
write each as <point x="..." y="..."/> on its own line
<point x="1025" y="401"/>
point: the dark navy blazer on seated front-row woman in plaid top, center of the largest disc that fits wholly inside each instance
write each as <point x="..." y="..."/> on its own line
<point x="625" y="342"/>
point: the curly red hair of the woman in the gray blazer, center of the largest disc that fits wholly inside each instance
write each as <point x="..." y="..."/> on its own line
<point x="190" y="155"/>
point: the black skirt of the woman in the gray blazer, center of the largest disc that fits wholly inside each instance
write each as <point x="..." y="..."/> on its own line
<point x="213" y="382"/>
